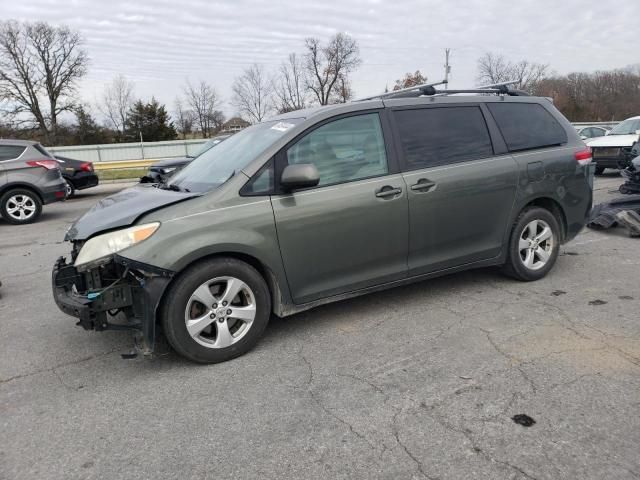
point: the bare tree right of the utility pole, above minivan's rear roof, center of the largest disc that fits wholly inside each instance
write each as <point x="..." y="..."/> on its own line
<point x="494" y="68"/>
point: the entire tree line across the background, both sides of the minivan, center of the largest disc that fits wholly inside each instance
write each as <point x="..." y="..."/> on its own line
<point x="41" y="66"/>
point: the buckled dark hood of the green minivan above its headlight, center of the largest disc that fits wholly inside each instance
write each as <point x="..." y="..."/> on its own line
<point x="123" y="209"/>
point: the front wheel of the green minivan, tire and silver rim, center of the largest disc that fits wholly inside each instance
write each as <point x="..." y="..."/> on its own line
<point x="225" y="335"/>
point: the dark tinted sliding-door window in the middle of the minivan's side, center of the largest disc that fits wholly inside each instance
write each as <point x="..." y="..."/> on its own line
<point x="440" y="136"/>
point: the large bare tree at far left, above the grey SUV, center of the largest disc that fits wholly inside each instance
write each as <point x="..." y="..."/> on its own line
<point x="39" y="67"/>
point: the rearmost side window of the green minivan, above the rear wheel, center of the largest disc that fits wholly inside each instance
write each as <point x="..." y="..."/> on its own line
<point x="525" y="126"/>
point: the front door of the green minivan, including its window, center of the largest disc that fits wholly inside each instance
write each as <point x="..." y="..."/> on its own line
<point x="351" y="231"/>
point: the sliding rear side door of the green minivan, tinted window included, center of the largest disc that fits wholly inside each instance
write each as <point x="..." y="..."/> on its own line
<point x="460" y="191"/>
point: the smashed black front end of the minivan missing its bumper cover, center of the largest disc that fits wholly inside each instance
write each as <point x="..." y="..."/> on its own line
<point x="95" y="297"/>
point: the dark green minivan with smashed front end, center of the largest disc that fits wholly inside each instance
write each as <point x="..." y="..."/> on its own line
<point x="323" y="204"/>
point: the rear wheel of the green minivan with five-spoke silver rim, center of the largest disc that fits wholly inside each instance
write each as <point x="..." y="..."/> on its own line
<point x="527" y="263"/>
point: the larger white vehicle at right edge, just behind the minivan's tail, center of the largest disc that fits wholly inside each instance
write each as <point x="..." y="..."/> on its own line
<point x="613" y="150"/>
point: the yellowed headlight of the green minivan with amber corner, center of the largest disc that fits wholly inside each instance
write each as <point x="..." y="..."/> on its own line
<point x="107" y="244"/>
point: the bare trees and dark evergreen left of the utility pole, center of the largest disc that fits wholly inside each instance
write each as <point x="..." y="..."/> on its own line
<point x="41" y="66"/>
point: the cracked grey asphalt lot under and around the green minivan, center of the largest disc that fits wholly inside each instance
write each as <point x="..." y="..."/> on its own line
<point x="416" y="382"/>
